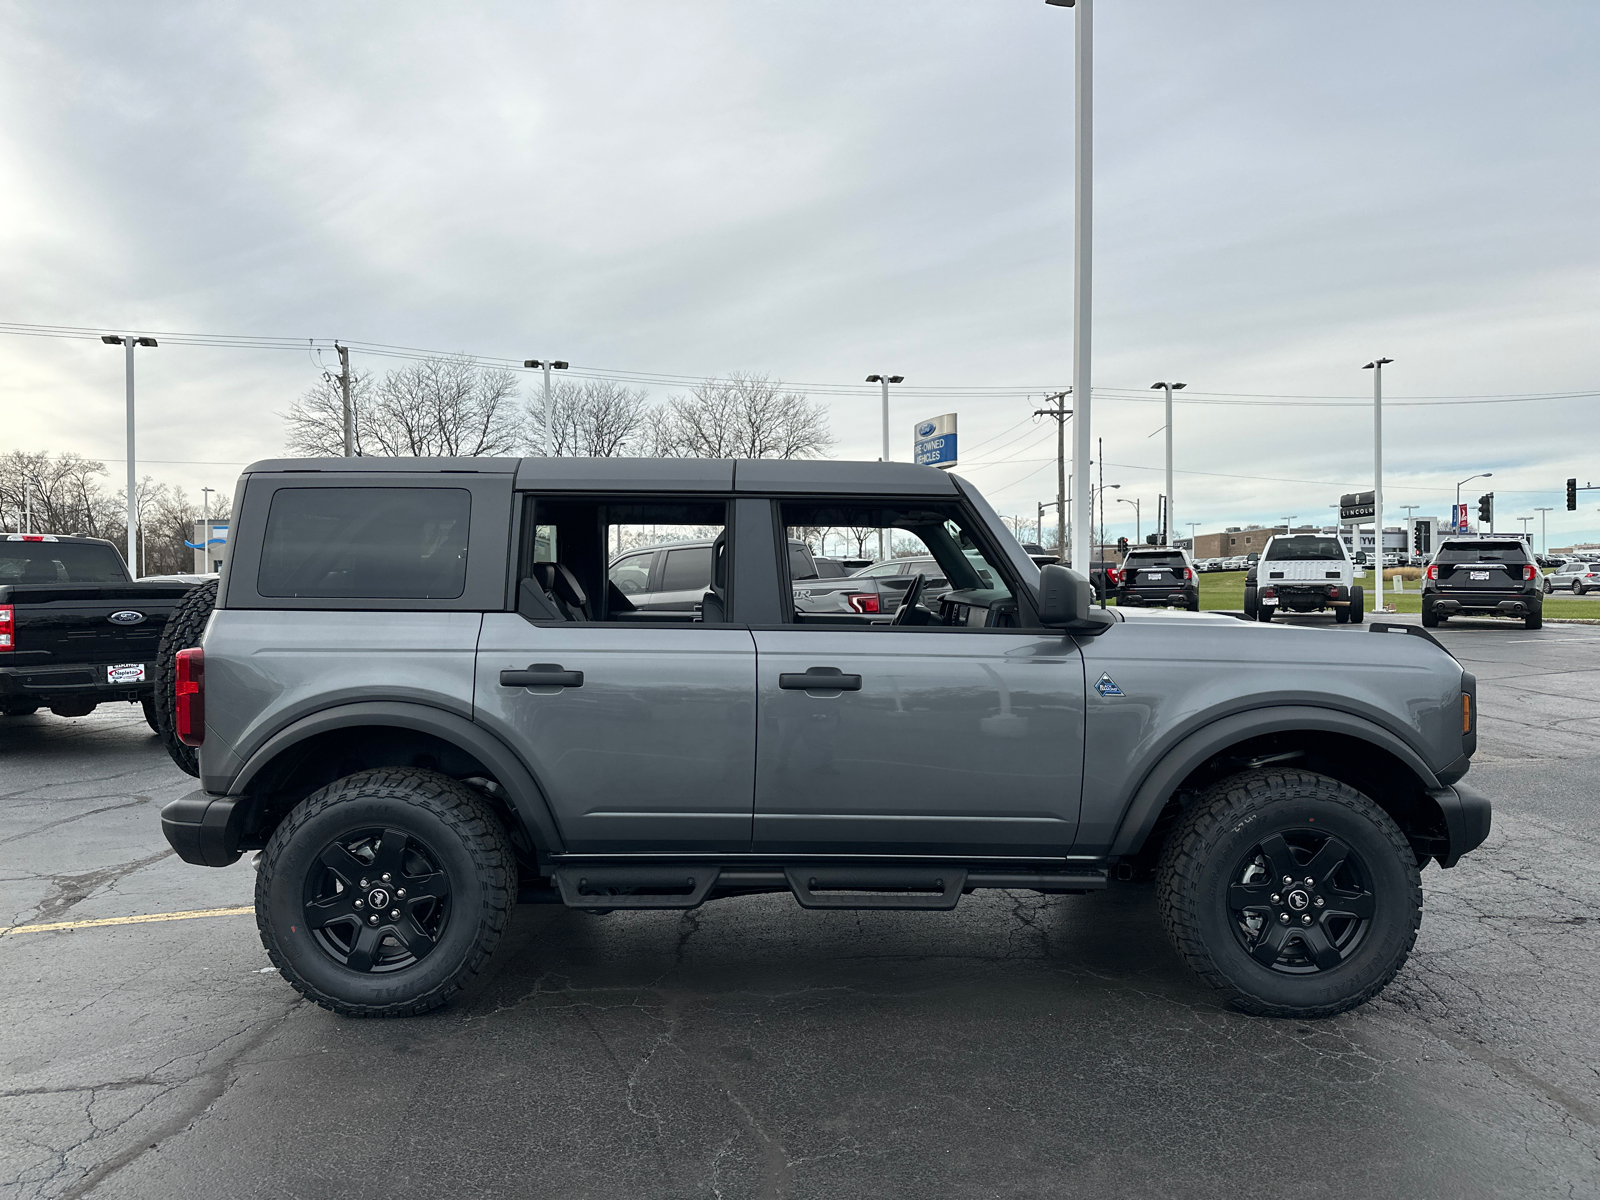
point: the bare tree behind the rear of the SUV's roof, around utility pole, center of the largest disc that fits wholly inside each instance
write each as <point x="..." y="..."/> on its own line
<point x="428" y="409"/>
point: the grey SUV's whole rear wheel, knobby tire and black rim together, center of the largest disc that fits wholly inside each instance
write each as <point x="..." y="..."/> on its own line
<point x="386" y="892"/>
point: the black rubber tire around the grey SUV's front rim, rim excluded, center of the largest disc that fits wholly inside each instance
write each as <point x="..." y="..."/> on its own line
<point x="1222" y="826"/>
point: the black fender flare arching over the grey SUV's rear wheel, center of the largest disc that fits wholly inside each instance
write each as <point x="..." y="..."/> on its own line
<point x="522" y="790"/>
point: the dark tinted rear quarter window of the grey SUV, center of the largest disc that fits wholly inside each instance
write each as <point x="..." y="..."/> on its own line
<point x="367" y="543"/>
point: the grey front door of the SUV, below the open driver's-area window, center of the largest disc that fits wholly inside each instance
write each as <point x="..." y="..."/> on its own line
<point x="950" y="740"/>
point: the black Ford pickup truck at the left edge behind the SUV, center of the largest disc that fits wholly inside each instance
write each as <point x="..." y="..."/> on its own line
<point x="76" y="630"/>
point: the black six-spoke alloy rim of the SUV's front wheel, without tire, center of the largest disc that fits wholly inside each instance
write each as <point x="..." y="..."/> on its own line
<point x="1300" y="902"/>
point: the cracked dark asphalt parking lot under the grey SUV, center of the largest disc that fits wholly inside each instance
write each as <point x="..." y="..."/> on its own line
<point x="1017" y="1047"/>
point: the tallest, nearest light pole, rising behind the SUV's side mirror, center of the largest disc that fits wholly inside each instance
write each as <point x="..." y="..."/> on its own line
<point x="1082" y="258"/>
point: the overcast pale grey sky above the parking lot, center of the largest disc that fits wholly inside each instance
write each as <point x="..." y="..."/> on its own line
<point x="820" y="191"/>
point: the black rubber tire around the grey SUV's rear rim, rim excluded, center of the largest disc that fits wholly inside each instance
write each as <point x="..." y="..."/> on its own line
<point x="474" y="852"/>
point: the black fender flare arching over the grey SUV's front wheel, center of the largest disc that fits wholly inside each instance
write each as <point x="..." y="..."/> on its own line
<point x="1175" y="766"/>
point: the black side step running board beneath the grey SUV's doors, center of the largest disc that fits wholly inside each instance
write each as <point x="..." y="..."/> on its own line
<point x="814" y="886"/>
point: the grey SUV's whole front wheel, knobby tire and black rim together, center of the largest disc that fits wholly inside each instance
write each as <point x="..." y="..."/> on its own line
<point x="1290" y="894"/>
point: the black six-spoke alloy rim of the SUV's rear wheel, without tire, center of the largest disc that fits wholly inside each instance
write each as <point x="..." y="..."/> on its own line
<point x="380" y="900"/>
